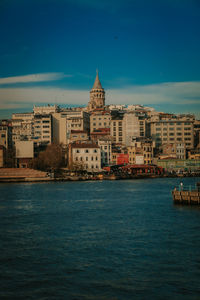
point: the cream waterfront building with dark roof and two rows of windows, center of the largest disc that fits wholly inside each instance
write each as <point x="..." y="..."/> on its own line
<point x="85" y="156"/>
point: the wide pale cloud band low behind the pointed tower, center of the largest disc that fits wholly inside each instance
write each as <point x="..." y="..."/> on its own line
<point x="185" y="95"/>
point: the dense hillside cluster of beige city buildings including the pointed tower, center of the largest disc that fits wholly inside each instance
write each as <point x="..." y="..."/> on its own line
<point x="101" y="135"/>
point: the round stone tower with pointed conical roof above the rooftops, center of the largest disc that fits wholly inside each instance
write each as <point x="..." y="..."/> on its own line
<point x="97" y="95"/>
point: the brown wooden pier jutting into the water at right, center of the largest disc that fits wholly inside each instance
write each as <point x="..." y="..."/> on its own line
<point x="186" y="197"/>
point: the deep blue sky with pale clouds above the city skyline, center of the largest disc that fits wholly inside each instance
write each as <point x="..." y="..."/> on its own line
<point x="147" y="52"/>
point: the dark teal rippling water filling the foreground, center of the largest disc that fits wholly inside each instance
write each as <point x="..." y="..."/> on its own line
<point x="104" y="240"/>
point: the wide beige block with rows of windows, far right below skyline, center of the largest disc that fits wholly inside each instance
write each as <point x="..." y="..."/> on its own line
<point x="172" y="129"/>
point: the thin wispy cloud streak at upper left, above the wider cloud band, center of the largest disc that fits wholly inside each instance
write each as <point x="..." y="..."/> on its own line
<point x="33" y="78"/>
